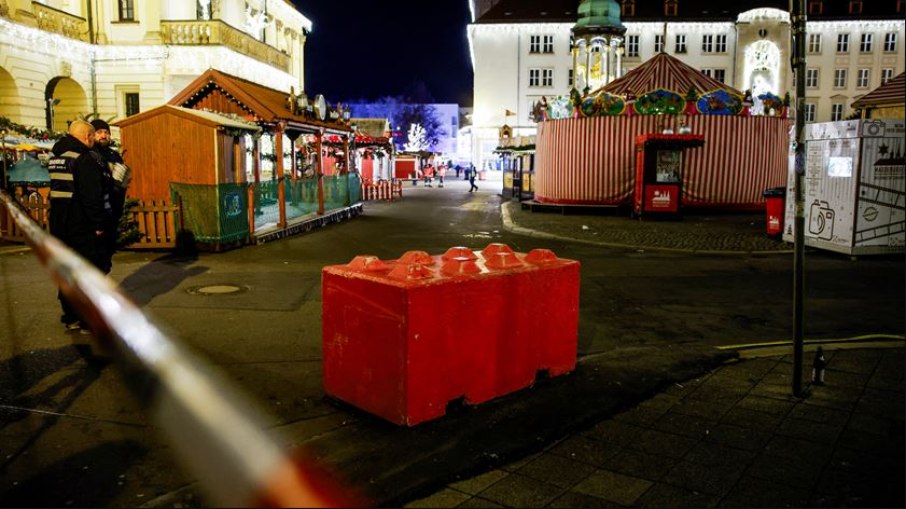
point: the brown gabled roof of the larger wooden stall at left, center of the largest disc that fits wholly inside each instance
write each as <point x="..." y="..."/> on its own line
<point x="226" y="93"/>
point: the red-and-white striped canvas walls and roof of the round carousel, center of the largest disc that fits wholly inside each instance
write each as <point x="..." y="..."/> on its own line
<point x="591" y="161"/>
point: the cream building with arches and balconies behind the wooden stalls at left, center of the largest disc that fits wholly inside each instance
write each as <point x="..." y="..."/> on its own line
<point x="61" y="59"/>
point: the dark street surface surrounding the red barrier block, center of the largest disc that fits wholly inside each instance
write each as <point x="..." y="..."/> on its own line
<point x="650" y="318"/>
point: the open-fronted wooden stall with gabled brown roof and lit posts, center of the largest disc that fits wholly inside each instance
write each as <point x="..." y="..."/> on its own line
<point x="292" y="200"/>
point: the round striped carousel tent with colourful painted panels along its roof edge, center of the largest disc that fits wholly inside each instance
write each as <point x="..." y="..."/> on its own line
<point x="586" y="145"/>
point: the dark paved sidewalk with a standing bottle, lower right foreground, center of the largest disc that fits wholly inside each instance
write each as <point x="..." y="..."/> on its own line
<point x="734" y="437"/>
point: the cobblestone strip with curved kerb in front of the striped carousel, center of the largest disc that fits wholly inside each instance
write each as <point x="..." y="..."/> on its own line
<point x="696" y="231"/>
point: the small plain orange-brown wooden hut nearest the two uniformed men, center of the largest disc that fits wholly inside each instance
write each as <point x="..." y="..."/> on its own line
<point x="170" y="148"/>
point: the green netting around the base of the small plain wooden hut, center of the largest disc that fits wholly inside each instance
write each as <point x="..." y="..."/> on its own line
<point x="213" y="213"/>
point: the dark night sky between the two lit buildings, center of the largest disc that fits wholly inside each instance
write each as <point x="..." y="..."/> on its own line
<point x="391" y="47"/>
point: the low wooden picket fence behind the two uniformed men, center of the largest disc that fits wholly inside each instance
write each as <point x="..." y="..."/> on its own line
<point x="156" y="221"/>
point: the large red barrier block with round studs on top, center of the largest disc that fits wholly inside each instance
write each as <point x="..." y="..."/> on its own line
<point x="403" y="338"/>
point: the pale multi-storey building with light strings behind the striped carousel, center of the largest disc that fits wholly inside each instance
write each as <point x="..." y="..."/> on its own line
<point x="522" y="50"/>
